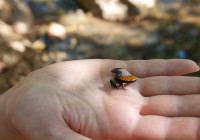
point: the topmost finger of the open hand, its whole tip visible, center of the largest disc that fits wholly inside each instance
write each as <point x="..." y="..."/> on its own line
<point x="160" y="67"/>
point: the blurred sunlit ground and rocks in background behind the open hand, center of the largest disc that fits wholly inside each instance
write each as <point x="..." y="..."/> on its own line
<point x="36" y="33"/>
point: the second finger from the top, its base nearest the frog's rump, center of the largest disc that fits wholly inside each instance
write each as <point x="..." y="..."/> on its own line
<point x="169" y="85"/>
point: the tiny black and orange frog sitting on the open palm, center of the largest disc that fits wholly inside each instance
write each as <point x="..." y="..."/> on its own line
<point x="122" y="78"/>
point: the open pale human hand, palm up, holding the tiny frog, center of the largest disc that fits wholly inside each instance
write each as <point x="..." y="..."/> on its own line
<point x="74" y="101"/>
